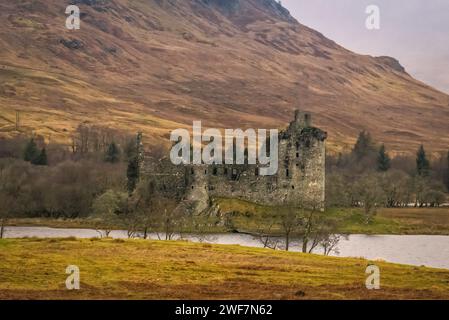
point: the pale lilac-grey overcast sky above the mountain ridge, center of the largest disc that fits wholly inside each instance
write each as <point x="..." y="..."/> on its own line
<point x="416" y="32"/>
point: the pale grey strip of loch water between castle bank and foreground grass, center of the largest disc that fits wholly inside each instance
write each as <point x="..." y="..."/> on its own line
<point x="400" y="249"/>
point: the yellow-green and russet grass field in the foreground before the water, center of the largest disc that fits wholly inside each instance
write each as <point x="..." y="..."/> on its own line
<point x="138" y="269"/>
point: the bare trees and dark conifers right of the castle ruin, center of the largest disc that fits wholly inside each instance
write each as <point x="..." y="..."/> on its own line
<point x="368" y="177"/>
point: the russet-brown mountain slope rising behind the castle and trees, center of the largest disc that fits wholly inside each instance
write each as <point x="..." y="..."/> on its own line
<point x="155" y="65"/>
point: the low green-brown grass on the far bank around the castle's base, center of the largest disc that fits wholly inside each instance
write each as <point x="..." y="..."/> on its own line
<point x="430" y="221"/>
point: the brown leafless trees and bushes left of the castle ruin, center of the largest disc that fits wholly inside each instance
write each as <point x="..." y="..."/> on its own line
<point x="97" y="178"/>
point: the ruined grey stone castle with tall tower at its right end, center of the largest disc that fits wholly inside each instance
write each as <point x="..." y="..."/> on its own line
<point x="300" y="180"/>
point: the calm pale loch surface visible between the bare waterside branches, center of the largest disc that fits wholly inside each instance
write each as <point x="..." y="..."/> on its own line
<point x="431" y="251"/>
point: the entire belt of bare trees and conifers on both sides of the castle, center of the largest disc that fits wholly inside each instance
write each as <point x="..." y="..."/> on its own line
<point x="98" y="177"/>
